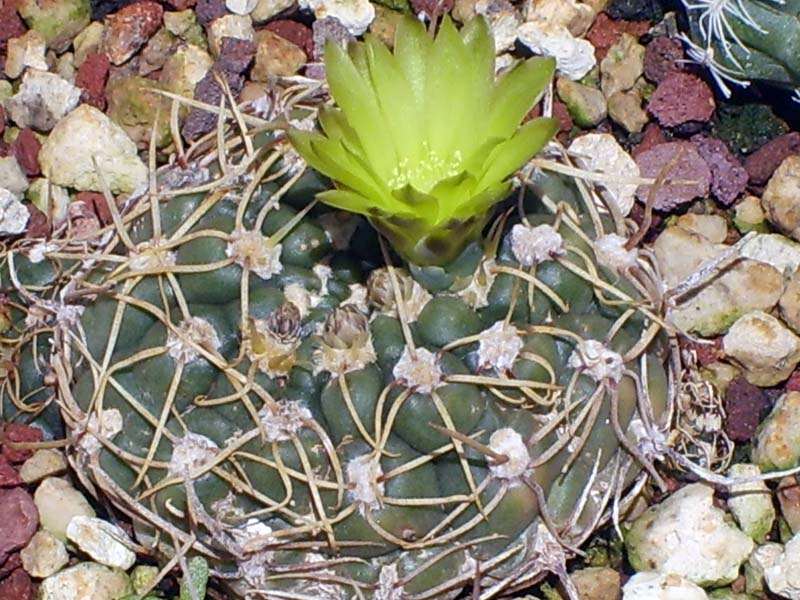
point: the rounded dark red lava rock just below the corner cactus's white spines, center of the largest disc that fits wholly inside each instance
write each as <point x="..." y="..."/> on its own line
<point x="681" y="98"/>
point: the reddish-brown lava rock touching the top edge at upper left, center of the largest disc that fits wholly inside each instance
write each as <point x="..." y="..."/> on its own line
<point x="129" y="28"/>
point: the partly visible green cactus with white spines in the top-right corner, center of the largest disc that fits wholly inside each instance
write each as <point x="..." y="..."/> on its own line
<point x="740" y="41"/>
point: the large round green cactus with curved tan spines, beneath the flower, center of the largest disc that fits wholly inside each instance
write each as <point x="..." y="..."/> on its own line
<point x="317" y="422"/>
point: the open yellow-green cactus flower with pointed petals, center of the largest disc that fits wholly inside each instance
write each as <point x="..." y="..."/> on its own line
<point x="424" y="139"/>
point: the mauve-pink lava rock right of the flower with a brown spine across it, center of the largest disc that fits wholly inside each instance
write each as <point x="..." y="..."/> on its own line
<point x="690" y="167"/>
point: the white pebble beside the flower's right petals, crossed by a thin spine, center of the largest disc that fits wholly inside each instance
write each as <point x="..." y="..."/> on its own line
<point x="601" y="153"/>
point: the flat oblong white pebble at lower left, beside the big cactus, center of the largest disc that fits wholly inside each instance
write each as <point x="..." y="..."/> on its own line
<point x="103" y="541"/>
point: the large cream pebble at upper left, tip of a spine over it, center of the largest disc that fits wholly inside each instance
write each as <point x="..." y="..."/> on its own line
<point x="66" y="155"/>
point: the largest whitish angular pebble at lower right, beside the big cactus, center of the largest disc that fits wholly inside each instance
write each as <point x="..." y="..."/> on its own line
<point x="687" y="535"/>
